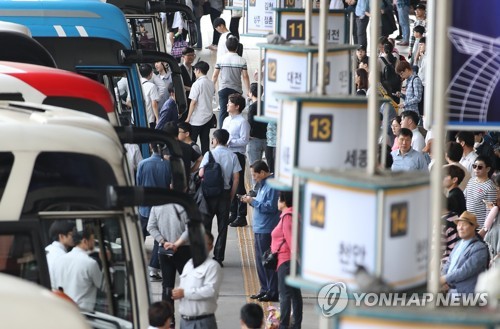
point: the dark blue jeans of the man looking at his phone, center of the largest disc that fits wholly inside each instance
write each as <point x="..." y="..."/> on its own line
<point x="268" y="278"/>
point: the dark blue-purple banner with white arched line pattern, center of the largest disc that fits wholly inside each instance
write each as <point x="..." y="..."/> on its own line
<point x="474" y="89"/>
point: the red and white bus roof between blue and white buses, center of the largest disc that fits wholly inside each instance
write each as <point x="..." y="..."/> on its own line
<point x="45" y="85"/>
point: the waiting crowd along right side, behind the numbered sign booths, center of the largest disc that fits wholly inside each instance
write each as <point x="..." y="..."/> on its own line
<point x="471" y="174"/>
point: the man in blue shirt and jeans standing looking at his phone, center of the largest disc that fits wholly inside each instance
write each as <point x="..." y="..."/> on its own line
<point x="265" y="218"/>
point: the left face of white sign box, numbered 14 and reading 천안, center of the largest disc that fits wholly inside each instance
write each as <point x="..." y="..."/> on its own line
<point x="331" y="206"/>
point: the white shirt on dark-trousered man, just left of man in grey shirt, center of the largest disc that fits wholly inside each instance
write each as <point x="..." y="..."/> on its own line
<point x="203" y="91"/>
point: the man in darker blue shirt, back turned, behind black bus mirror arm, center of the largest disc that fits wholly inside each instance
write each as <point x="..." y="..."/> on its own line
<point x="153" y="172"/>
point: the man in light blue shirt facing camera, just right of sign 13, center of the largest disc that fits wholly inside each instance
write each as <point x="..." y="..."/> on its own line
<point x="406" y="158"/>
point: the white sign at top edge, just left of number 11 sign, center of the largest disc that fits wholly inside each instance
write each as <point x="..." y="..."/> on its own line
<point x="260" y="16"/>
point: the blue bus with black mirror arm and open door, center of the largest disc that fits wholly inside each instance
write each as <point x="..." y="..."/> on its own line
<point x="90" y="37"/>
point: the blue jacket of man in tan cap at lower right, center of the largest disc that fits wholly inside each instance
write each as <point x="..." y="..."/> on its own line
<point x="472" y="261"/>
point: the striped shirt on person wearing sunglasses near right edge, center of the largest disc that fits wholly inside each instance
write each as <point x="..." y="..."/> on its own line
<point x="475" y="193"/>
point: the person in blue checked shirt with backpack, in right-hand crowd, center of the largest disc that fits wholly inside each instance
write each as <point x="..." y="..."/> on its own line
<point x="414" y="88"/>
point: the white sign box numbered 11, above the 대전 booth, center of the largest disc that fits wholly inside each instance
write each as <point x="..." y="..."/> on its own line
<point x="292" y="27"/>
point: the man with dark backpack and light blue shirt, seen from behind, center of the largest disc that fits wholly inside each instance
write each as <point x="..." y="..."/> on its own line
<point x="219" y="173"/>
